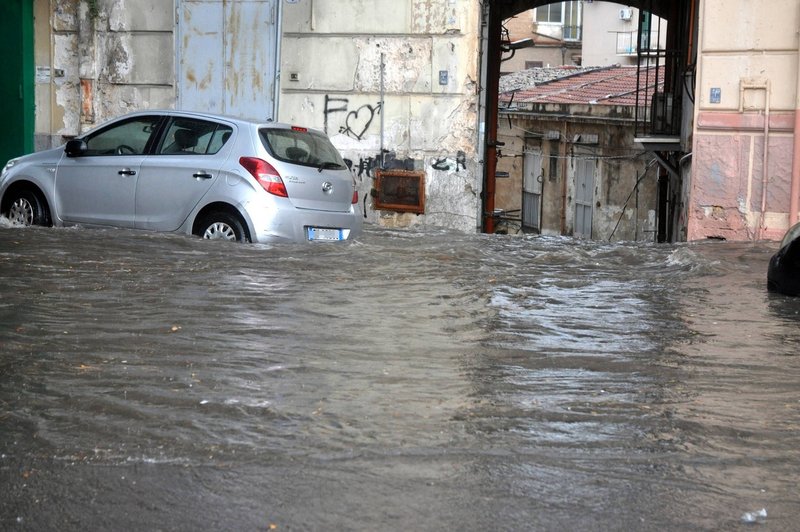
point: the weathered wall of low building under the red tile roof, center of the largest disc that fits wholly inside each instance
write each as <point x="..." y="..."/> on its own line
<point x="625" y="185"/>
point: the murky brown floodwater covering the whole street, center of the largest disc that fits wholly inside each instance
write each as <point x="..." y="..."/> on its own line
<point x="407" y="381"/>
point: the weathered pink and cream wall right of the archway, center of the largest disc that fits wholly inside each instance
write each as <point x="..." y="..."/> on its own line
<point x="746" y="92"/>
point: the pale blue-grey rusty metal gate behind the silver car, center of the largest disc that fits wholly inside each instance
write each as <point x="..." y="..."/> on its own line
<point x="228" y="56"/>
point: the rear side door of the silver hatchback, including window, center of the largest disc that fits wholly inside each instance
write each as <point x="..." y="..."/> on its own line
<point x="183" y="168"/>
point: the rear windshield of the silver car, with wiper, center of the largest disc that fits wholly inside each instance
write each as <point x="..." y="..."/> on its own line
<point x="301" y="146"/>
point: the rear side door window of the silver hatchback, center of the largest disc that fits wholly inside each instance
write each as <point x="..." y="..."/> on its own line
<point x="191" y="136"/>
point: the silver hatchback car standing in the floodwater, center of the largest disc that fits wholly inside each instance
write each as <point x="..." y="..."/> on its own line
<point x="208" y="175"/>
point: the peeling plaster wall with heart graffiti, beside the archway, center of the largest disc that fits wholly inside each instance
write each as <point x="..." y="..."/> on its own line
<point x="331" y="80"/>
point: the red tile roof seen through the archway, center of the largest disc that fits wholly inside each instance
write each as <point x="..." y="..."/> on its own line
<point x="604" y="86"/>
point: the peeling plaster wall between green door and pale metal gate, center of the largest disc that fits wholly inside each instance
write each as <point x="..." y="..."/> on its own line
<point x="101" y="65"/>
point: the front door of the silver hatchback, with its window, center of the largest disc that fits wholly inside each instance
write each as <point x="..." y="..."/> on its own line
<point x="98" y="187"/>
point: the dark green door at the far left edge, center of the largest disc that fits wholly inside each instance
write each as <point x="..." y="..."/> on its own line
<point x="16" y="84"/>
